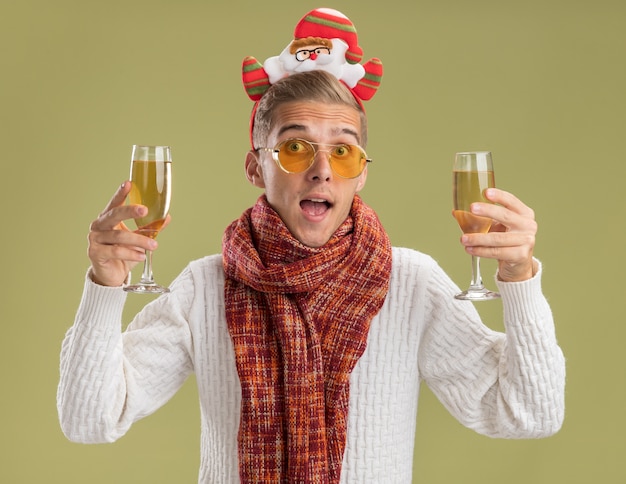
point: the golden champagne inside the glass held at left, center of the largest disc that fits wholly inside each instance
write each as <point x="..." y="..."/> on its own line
<point x="151" y="186"/>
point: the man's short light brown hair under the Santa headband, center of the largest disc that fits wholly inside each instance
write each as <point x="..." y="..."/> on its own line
<point x="313" y="86"/>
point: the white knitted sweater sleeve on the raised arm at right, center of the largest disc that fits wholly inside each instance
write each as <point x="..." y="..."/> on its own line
<point x="507" y="385"/>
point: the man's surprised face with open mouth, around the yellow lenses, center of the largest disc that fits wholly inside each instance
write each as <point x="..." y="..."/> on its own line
<point x="312" y="204"/>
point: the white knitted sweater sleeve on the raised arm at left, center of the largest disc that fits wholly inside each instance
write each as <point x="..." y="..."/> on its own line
<point x="108" y="378"/>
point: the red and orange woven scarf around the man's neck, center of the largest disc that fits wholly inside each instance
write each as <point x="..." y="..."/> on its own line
<point x="299" y="318"/>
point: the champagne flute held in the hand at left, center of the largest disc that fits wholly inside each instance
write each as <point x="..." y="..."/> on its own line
<point x="151" y="178"/>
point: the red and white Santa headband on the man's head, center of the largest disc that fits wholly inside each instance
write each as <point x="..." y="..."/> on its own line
<point x="324" y="39"/>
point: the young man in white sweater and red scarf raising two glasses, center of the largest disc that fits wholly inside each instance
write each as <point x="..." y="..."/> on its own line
<point x="310" y="335"/>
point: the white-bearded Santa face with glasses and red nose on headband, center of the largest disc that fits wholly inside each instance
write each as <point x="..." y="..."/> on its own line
<point x="316" y="57"/>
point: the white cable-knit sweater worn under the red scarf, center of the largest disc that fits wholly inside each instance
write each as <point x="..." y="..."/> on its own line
<point x="502" y="385"/>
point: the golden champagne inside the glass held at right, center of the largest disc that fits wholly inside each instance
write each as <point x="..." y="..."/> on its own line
<point x="468" y="188"/>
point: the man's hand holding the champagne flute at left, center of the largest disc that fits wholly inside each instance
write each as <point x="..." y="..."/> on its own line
<point x="114" y="249"/>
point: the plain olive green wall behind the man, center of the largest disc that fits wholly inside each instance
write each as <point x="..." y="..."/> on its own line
<point x="539" y="82"/>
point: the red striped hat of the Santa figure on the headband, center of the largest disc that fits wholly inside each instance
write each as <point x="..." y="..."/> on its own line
<point x="330" y="24"/>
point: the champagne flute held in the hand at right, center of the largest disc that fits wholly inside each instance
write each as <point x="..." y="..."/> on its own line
<point x="473" y="173"/>
